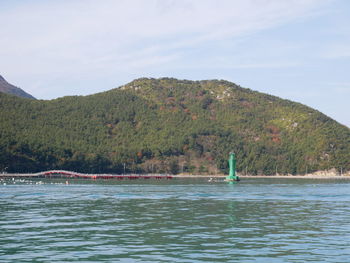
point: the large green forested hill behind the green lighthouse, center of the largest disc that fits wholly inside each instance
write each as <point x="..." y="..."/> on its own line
<point x="169" y="125"/>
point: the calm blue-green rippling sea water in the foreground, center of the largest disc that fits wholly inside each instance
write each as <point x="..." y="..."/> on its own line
<point x="256" y="220"/>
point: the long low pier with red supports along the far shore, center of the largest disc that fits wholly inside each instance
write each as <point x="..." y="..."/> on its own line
<point x="70" y="174"/>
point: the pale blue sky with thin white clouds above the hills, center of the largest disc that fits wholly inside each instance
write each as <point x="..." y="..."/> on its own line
<point x="295" y="49"/>
